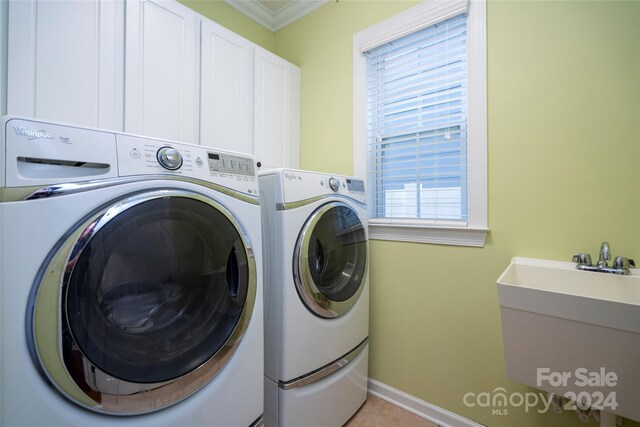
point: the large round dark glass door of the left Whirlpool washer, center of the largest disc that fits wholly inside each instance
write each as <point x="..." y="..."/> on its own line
<point x="156" y="288"/>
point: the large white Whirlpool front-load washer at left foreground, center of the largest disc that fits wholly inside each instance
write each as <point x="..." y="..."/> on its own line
<point x="131" y="281"/>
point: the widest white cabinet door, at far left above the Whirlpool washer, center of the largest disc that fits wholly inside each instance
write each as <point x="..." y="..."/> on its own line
<point x="65" y="61"/>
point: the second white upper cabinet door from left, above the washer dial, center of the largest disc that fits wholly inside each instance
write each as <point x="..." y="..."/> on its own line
<point x="161" y="73"/>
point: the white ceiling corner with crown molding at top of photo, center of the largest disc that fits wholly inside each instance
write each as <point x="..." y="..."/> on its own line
<point x="275" y="14"/>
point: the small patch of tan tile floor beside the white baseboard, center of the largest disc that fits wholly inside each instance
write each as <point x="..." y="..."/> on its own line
<point x="379" y="413"/>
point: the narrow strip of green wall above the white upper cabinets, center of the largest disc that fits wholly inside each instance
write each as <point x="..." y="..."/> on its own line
<point x="220" y="12"/>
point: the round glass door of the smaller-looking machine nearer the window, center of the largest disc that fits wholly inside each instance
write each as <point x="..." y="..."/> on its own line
<point x="330" y="260"/>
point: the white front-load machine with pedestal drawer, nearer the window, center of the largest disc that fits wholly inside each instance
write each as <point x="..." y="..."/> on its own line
<point x="316" y="297"/>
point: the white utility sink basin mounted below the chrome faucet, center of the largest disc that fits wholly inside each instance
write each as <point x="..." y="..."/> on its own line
<point x="556" y="318"/>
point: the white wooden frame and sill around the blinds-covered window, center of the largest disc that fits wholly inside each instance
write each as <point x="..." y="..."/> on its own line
<point x="473" y="232"/>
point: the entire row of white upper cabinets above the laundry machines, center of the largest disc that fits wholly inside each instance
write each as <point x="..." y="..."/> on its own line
<point x="149" y="67"/>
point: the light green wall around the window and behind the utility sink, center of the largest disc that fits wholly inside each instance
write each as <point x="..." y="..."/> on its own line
<point x="564" y="175"/>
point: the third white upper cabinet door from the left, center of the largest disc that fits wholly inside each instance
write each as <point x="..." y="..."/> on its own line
<point x="226" y="91"/>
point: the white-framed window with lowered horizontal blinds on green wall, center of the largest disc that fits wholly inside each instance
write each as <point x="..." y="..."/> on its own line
<point x="420" y="123"/>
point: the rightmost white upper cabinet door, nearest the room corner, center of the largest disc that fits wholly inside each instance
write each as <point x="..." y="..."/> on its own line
<point x="277" y="111"/>
